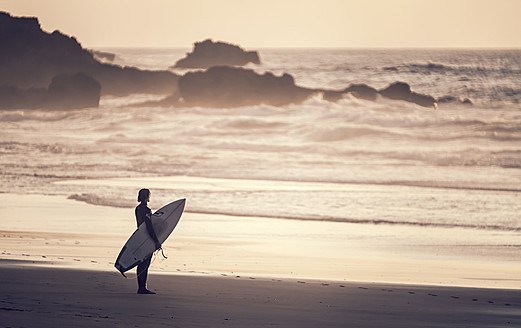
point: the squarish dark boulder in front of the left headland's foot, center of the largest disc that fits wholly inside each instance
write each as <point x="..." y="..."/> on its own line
<point x="78" y="90"/>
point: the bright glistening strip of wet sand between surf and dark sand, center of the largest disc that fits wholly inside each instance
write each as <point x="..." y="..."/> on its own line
<point x="68" y="234"/>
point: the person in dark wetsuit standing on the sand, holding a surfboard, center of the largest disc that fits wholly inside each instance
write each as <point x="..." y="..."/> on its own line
<point x="143" y="214"/>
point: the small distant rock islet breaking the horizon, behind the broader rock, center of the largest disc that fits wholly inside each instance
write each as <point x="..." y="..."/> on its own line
<point x="208" y="53"/>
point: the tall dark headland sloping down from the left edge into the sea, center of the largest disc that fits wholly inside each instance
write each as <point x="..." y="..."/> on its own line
<point x="31" y="58"/>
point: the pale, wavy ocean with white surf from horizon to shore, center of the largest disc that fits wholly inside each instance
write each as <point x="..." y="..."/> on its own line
<point x="354" y="161"/>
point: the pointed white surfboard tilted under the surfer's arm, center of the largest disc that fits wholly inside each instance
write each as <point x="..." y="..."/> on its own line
<point x="140" y="245"/>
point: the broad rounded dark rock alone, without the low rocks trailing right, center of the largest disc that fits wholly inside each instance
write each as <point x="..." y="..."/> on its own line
<point x="224" y="86"/>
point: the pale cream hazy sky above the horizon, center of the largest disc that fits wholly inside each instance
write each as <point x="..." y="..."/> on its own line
<point x="280" y="23"/>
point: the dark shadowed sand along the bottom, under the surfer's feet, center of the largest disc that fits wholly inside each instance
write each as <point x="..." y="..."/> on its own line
<point x="44" y="297"/>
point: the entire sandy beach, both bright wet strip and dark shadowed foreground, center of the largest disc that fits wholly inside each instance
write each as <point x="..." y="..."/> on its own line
<point x="54" y="274"/>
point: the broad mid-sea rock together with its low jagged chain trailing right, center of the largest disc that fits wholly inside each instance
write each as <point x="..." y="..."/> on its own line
<point x="225" y="86"/>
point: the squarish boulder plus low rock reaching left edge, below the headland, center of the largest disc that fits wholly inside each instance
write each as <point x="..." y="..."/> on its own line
<point x="66" y="91"/>
